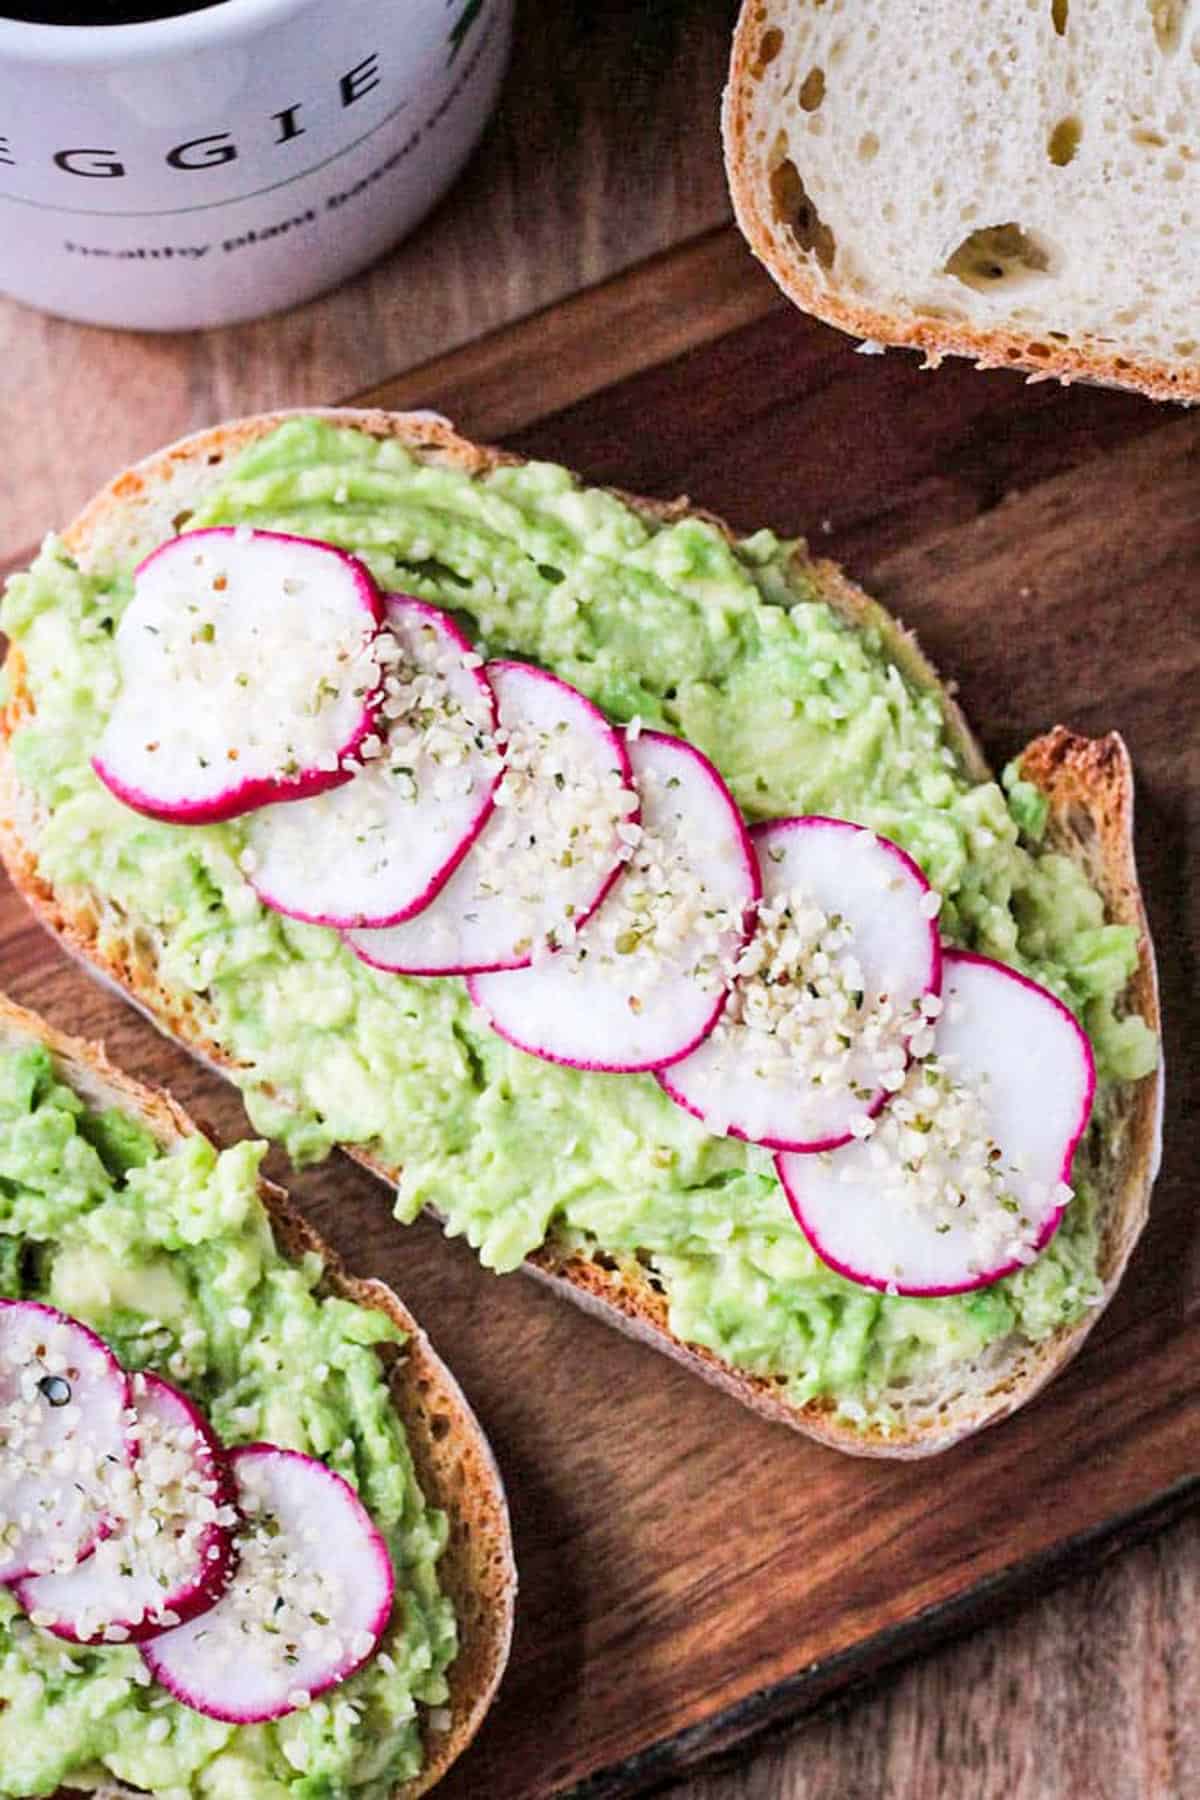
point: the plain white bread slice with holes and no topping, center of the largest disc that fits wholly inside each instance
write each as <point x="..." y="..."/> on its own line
<point x="1010" y="183"/>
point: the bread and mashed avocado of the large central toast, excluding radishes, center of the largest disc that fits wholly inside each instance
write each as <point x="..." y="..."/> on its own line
<point x="810" y="699"/>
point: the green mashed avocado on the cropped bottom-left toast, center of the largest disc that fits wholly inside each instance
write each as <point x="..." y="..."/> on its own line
<point x="172" y="1259"/>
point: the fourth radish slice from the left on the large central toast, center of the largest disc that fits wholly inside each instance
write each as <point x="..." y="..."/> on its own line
<point x="647" y="978"/>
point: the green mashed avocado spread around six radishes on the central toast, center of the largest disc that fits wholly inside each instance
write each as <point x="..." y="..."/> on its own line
<point x="731" y="647"/>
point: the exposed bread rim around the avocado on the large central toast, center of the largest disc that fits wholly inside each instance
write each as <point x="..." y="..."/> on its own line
<point x="1091" y="798"/>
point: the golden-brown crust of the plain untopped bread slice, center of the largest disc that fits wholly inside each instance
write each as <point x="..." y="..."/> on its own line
<point x="935" y="337"/>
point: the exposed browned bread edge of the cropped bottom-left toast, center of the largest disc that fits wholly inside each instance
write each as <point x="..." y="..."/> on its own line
<point x="451" y="1453"/>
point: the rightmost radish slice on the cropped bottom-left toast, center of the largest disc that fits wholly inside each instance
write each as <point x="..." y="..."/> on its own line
<point x="307" y="1606"/>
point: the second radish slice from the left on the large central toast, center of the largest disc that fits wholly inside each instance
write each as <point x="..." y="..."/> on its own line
<point x="379" y="849"/>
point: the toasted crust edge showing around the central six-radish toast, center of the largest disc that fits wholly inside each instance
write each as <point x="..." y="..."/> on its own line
<point x="1086" y="780"/>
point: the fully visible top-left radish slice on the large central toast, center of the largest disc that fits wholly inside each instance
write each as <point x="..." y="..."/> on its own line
<point x="247" y="676"/>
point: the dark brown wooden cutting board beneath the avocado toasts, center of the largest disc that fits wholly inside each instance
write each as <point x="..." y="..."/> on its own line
<point x="692" y="1576"/>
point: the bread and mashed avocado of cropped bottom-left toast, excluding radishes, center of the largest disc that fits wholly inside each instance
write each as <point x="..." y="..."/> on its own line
<point x="121" y="1214"/>
